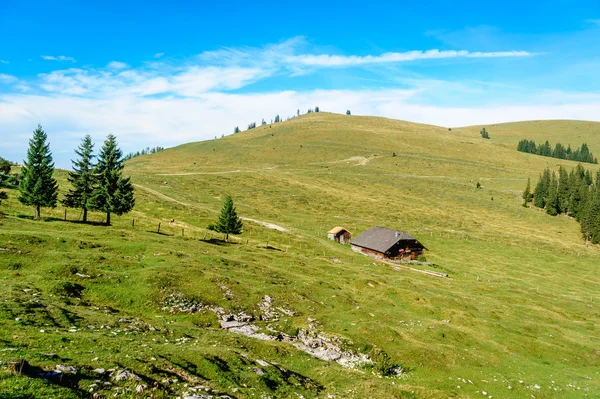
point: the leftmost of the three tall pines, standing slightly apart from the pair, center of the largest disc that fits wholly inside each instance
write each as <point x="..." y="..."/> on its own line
<point x="38" y="188"/>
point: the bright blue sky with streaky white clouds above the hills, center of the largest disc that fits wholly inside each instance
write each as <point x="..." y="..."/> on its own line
<point x="166" y="73"/>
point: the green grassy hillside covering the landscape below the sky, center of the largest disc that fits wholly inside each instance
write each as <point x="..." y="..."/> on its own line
<point x="517" y="318"/>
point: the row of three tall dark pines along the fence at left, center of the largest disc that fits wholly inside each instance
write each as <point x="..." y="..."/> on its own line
<point x="98" y="186"/>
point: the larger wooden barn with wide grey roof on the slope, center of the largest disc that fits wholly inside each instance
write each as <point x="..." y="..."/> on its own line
<point x="380" y="242"/>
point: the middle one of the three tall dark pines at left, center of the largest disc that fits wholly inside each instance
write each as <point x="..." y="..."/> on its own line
<point x="82" y="178"/>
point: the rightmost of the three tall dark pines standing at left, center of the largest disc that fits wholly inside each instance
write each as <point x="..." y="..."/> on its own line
<point x="114" y="193"/>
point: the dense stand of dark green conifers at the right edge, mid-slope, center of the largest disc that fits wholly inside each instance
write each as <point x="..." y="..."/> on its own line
<point x="576" y="194"/>
